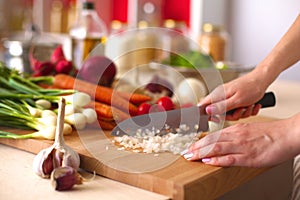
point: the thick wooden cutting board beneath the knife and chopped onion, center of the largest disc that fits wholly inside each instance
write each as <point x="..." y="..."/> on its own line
<point x="165" y="174"/>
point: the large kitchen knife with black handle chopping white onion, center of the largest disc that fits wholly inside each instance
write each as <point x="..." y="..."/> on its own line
<point x="185" y="120"/>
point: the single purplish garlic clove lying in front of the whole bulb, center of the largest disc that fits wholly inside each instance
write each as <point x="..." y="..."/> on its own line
<point x="64" y="178"/>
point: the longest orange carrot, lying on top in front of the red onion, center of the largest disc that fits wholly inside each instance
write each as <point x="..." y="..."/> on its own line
<point x="99" y="93"/>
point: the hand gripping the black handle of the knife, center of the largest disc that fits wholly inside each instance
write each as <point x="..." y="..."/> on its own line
<point x="240" y="94"/>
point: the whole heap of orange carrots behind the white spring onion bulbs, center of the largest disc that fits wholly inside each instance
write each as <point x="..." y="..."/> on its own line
<point x="111" y="106"/>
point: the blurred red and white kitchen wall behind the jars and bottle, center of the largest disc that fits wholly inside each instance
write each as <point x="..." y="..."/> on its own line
<point x="253" y="27"/>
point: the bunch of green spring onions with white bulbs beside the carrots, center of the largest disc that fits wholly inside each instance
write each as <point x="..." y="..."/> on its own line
<point x="26" y="105"/>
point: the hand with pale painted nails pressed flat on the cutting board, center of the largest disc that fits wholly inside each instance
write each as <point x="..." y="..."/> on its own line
<point x="250" y="144"/>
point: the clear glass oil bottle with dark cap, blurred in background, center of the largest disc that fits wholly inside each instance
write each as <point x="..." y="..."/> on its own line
<point x="89" y="31"/>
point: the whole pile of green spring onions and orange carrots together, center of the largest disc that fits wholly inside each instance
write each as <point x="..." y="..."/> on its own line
<point x="26" y="98"/>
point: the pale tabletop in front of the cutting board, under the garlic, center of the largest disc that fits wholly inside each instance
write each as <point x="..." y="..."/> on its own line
<point x="20" y="182"/>
